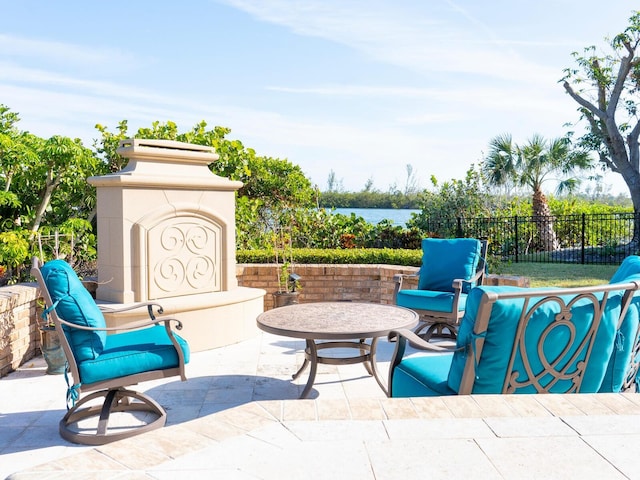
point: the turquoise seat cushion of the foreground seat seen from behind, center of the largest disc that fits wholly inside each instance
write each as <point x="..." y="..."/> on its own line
<point x="422" y="376"/>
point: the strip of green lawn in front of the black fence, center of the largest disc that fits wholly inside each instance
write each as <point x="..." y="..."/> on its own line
<point x="560" y="274"/>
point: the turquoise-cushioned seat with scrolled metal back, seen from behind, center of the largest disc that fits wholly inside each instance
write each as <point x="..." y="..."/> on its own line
<point x="518" y="340"/>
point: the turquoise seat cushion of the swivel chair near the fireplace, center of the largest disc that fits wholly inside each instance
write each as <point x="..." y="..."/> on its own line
<point x="133" y="352"/>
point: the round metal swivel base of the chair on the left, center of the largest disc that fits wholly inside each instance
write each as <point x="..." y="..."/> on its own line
<point x="116" y="400"/>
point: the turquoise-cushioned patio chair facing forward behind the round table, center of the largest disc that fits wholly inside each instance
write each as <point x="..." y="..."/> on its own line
<point x="450" y="268"/>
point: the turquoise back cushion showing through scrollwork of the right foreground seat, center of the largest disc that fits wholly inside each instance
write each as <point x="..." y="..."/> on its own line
<point x="493" y="363"/>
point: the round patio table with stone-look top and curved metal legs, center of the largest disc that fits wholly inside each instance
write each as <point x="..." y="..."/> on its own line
<point x="338" y="324"/>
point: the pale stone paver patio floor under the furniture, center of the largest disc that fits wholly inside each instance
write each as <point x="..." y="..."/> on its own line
<point x="239" y="417"/>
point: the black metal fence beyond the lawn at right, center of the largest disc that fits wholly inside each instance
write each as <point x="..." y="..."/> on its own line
<point x="585" y="238"/>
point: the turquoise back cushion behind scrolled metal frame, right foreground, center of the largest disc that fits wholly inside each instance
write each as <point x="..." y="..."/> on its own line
<point x="520" y="350"/>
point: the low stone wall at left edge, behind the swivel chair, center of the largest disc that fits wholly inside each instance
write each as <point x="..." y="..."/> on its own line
<point x="19" y="334"/>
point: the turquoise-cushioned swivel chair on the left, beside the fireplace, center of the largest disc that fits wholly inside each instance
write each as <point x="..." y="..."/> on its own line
<point x="105" y="364"/>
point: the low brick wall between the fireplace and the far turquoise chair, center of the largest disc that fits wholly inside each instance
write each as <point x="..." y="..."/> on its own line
<point x="327" y="282"/>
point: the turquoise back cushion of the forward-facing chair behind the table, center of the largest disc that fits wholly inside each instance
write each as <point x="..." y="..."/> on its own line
<point x="444" y="260"/>
